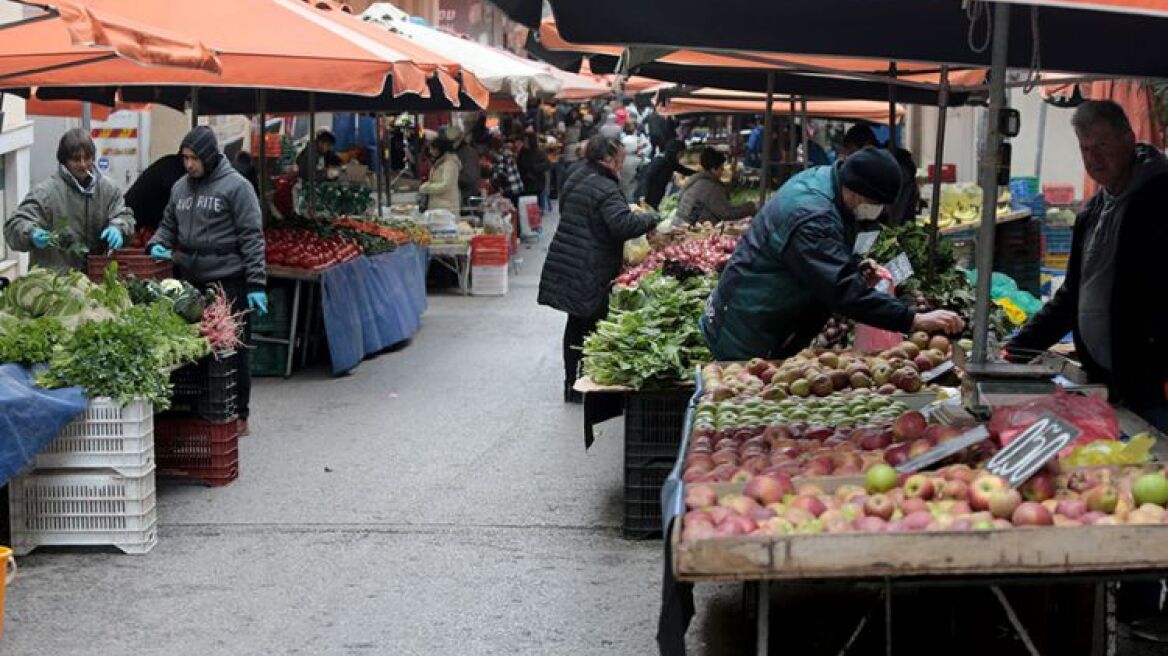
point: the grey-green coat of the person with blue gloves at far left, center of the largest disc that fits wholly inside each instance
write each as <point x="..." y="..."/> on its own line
<point x="61" y="205"/>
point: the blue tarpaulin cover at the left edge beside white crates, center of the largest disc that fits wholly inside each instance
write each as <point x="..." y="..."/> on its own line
<point x="31" y="417"/>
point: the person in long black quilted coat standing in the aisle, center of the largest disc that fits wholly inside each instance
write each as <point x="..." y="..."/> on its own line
<point x="586" y="255"/>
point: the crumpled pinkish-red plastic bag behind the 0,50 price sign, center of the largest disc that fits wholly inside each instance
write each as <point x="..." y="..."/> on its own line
<point x="1091" y="415"/>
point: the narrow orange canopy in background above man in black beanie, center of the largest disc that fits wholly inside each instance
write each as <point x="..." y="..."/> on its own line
<point x="719" y="101"/>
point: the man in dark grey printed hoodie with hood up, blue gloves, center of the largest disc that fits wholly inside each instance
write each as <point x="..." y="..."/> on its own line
<point x="213" y="231"/>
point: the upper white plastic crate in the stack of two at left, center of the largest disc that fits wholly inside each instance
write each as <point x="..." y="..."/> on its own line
<point x="107" y="437"/>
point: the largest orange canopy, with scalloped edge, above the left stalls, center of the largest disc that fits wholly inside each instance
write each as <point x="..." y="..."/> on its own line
<point x="289" y="45"/>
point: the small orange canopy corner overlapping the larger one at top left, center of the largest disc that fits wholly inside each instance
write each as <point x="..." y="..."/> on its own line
<point x="85" y="36"/>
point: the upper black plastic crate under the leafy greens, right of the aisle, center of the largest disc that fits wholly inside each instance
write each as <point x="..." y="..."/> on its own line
<point x="655" y="422"/>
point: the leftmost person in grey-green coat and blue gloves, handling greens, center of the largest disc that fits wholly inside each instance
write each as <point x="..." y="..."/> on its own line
<point x="77" y="205"/>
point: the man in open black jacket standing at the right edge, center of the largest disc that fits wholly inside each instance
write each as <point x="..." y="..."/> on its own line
<point x="1111" y="298"/>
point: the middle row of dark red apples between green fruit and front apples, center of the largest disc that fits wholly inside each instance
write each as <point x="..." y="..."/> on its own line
<point x="798" y="450"/>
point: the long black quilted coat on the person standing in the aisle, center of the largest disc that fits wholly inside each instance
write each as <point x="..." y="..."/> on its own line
<point x="587" y="252"/>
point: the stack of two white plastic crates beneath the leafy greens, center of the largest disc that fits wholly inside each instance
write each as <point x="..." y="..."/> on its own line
<point x="93" y="486"/>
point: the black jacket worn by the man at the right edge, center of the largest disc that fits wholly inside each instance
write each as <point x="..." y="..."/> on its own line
<point x="1139" y="320"/>
